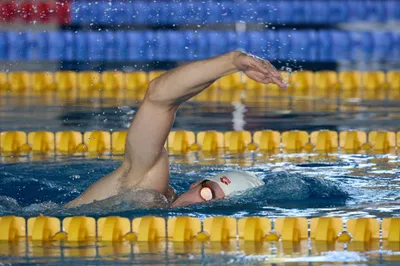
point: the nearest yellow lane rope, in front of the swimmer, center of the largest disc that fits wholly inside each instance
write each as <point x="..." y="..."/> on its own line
<point x="185" y="229"/>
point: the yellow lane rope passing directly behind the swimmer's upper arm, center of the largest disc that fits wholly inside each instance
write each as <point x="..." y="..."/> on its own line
<point x="181" y="142"/>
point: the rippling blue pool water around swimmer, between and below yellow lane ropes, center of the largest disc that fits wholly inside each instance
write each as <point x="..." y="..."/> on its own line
<point x="301" y="185"/>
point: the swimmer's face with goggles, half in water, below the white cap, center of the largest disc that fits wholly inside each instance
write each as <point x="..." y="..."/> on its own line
<point x="200" y="191"/>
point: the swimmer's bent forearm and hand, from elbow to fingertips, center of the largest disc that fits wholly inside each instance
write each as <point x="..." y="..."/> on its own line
<point x="181" y="83"/>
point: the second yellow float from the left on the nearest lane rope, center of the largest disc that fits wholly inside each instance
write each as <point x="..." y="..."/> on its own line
<point x="43" y="228"/>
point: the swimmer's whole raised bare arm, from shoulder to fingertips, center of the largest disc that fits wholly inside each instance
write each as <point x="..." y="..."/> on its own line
<point x="146" y="162"/>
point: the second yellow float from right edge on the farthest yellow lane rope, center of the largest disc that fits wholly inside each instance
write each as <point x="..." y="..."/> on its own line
<point x="374" y="84"/>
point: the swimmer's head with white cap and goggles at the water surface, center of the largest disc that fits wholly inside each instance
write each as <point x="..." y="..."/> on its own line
<point x="218" y="187"/>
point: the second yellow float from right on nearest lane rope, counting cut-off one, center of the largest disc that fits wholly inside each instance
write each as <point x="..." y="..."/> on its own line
<point x="363" y="229"/>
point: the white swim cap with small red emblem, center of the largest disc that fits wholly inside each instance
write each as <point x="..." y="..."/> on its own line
<point x="231" y="182"/>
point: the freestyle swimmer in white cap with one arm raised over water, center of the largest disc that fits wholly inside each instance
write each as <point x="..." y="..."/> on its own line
<point x="145" y="166"/>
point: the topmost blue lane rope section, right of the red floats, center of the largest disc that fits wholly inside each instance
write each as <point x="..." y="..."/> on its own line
<point x="217" y="12"/>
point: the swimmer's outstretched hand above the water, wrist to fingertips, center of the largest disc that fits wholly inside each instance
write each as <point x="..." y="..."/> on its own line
<point x="258" y="69"/>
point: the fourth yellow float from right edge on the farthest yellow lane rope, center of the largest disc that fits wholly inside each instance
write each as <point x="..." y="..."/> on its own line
<point x="326" y="84"/>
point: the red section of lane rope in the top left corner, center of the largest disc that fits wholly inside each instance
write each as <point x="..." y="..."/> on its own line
<point x="35" y="12"/>
